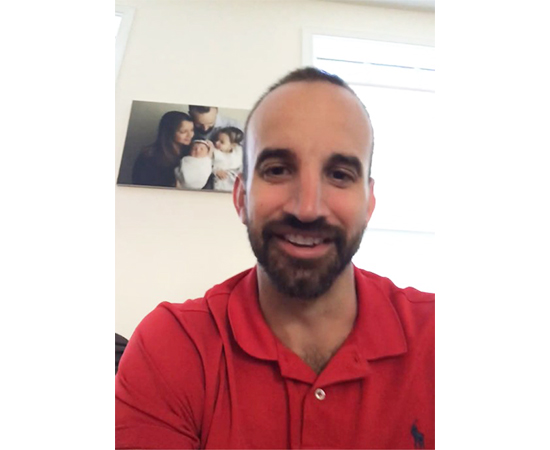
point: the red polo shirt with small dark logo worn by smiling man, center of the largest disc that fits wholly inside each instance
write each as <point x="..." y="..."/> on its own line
<point x="209" y="373"/>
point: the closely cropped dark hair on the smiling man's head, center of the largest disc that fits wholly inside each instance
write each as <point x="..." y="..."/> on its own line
<point x="307" y="74"/>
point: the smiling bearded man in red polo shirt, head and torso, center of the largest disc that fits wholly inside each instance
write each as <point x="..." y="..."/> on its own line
<point x="305" y="350"/>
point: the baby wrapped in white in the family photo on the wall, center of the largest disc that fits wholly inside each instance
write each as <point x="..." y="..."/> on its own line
<point x="195" y="169"/>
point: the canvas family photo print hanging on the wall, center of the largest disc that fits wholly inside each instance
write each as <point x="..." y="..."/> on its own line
<point x="189" y="147"/>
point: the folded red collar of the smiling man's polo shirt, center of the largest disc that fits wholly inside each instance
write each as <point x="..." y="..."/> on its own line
<point x="377" y="333"/>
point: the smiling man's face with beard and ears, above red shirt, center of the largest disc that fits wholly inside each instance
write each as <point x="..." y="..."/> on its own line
<point x="308" y="197"/>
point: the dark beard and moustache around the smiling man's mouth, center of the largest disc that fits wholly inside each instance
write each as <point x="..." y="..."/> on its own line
<point x="303" y="278"/>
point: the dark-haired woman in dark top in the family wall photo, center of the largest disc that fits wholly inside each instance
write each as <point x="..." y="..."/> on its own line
<point x="156" y="163"/>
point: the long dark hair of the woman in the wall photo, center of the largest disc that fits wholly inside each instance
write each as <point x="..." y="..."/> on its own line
<point x="164" y="150"/>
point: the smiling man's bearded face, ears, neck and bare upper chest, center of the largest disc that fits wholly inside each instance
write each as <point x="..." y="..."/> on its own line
<point x="309" y="147"/>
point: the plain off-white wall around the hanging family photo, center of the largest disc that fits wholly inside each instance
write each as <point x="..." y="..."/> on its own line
<point x="174" y="245"/>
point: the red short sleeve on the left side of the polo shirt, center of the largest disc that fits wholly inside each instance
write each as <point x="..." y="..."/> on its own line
<point x="159" y="391"/>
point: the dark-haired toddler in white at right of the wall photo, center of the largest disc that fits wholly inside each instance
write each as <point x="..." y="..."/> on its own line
<point x="228" y="158"/>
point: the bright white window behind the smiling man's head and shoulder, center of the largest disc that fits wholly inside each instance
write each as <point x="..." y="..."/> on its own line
<point x="396" y="82"/>
